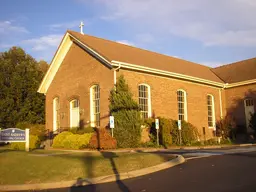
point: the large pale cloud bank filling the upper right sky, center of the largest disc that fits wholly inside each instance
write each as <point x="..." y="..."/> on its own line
<point x="214" y="23"/>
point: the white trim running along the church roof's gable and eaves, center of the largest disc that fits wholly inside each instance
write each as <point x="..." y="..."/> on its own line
<point x="67" y="42"/>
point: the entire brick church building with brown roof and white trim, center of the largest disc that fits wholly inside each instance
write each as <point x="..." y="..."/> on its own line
<point x="85" y="68"/>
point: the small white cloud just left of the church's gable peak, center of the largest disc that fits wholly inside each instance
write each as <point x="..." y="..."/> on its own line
<point x="44" y="42"/>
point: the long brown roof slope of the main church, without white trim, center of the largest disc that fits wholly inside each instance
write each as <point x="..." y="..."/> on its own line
<point x="114" y="51"/>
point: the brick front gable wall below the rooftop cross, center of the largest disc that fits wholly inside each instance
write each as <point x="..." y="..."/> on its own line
<point x="77" y="73"/>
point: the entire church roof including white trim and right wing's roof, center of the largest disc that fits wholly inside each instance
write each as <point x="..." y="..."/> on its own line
<point x="113" y="54"/>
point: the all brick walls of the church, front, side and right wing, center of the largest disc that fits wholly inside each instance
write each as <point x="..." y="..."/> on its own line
<point x="79" y="71"/>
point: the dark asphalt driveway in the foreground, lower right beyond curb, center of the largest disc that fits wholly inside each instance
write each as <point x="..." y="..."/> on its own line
<point x="226" y="173"/>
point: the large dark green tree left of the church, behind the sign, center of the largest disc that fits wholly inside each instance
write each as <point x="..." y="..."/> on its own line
<point x="20" y="76"/>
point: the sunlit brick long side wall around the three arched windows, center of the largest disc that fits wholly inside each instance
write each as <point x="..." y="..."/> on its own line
<point x="164" y="97"/>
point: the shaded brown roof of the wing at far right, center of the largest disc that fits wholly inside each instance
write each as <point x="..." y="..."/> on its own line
<point x="238" y="71"/>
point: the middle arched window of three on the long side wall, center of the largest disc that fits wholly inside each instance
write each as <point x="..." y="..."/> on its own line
<point x="182" y="105"/>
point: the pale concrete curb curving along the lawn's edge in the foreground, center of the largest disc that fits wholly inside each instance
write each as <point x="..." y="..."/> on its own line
<point x="104" y="179"/>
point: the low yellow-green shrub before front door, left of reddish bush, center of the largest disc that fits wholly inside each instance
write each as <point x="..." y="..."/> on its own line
<point x="69" y="140"/>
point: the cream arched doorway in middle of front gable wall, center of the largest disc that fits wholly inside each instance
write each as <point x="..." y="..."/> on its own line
<point x="74" y="113"/>
